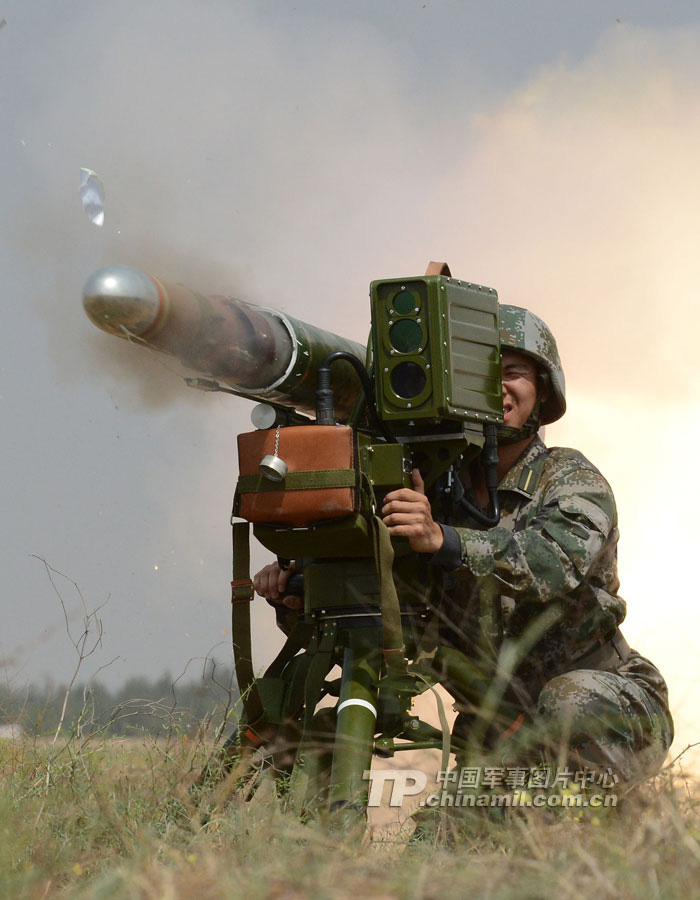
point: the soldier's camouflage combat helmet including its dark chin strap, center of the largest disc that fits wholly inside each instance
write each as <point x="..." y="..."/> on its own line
<point x="525" y="332"/>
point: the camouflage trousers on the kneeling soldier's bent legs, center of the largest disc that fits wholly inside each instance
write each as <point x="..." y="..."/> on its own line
<point x="616" y="720"/>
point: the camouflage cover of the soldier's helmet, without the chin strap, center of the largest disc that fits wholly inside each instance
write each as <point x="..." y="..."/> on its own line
<point x="525" y="332"/>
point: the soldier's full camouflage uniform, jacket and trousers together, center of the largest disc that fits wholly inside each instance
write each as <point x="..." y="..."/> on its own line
<point x="544" y="582"/>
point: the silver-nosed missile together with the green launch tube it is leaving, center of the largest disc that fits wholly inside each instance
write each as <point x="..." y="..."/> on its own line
<point x="261" y="353"/>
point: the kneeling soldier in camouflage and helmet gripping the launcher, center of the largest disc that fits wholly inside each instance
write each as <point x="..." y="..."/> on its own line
<point x="544" y="581"/>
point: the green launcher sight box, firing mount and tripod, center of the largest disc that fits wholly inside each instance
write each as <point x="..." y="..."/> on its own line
<point x="368" y="599"/>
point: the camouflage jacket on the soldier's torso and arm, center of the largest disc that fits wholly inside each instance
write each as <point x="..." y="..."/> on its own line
<point x="546" y="577"/>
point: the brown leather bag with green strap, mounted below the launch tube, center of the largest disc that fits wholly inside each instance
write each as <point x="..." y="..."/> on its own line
<point x="322" y="483"/>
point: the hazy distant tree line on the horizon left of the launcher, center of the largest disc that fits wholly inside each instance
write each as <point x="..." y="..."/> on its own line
<point x="141" y="705"/>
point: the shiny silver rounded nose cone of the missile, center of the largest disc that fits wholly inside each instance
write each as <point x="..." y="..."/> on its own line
<point x="119" y="299"/>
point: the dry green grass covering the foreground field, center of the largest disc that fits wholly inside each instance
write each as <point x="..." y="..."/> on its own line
<point x="107" y="818"/>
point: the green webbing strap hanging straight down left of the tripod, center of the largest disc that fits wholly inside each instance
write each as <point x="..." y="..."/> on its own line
<point x="240" y="625"/>
